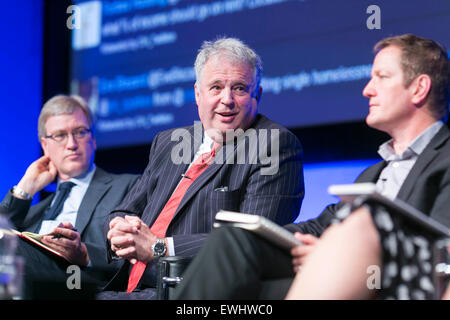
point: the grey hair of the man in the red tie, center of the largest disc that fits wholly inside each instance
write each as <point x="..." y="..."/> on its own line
<point x="230" y="48"/>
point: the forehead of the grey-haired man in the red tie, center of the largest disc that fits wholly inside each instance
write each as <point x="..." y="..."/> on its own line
<point x="222" y="68"/>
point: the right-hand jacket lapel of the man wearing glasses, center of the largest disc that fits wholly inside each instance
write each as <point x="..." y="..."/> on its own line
<point x="99" y="185"/>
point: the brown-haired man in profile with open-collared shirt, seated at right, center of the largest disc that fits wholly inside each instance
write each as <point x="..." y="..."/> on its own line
<point x="408" y="97"/>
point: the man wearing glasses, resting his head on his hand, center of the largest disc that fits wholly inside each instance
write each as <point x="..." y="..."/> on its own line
<point x="72" y="220"/>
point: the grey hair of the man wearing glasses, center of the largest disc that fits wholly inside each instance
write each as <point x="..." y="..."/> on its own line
<point x="62" y="104"/>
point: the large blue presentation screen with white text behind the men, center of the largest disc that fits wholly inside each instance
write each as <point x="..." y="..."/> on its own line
<point x="132" y="60"/>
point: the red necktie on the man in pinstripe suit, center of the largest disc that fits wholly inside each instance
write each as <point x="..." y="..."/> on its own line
<point x="159" y="227"/>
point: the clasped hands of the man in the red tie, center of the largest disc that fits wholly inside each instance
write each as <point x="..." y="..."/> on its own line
<point x="131" y="239"/>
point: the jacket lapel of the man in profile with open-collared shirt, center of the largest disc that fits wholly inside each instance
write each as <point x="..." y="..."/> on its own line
<point x="422" y="163"/>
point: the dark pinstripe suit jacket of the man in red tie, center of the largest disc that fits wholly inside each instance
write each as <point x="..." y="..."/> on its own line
<point x="277" y="197"/>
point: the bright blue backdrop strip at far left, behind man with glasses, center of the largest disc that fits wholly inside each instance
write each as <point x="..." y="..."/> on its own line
<point x="20" y="88"/>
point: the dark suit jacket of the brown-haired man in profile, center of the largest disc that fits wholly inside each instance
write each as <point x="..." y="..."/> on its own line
<point x="427" y="186"/>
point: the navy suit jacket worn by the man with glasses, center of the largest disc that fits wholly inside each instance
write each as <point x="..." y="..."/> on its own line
<point x="104" y="193"/>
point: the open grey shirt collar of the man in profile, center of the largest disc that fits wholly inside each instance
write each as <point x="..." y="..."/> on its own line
<point x="386" y="151"/>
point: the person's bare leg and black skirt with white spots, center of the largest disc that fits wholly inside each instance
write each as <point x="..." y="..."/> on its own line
<point x="391" y="259"/>
